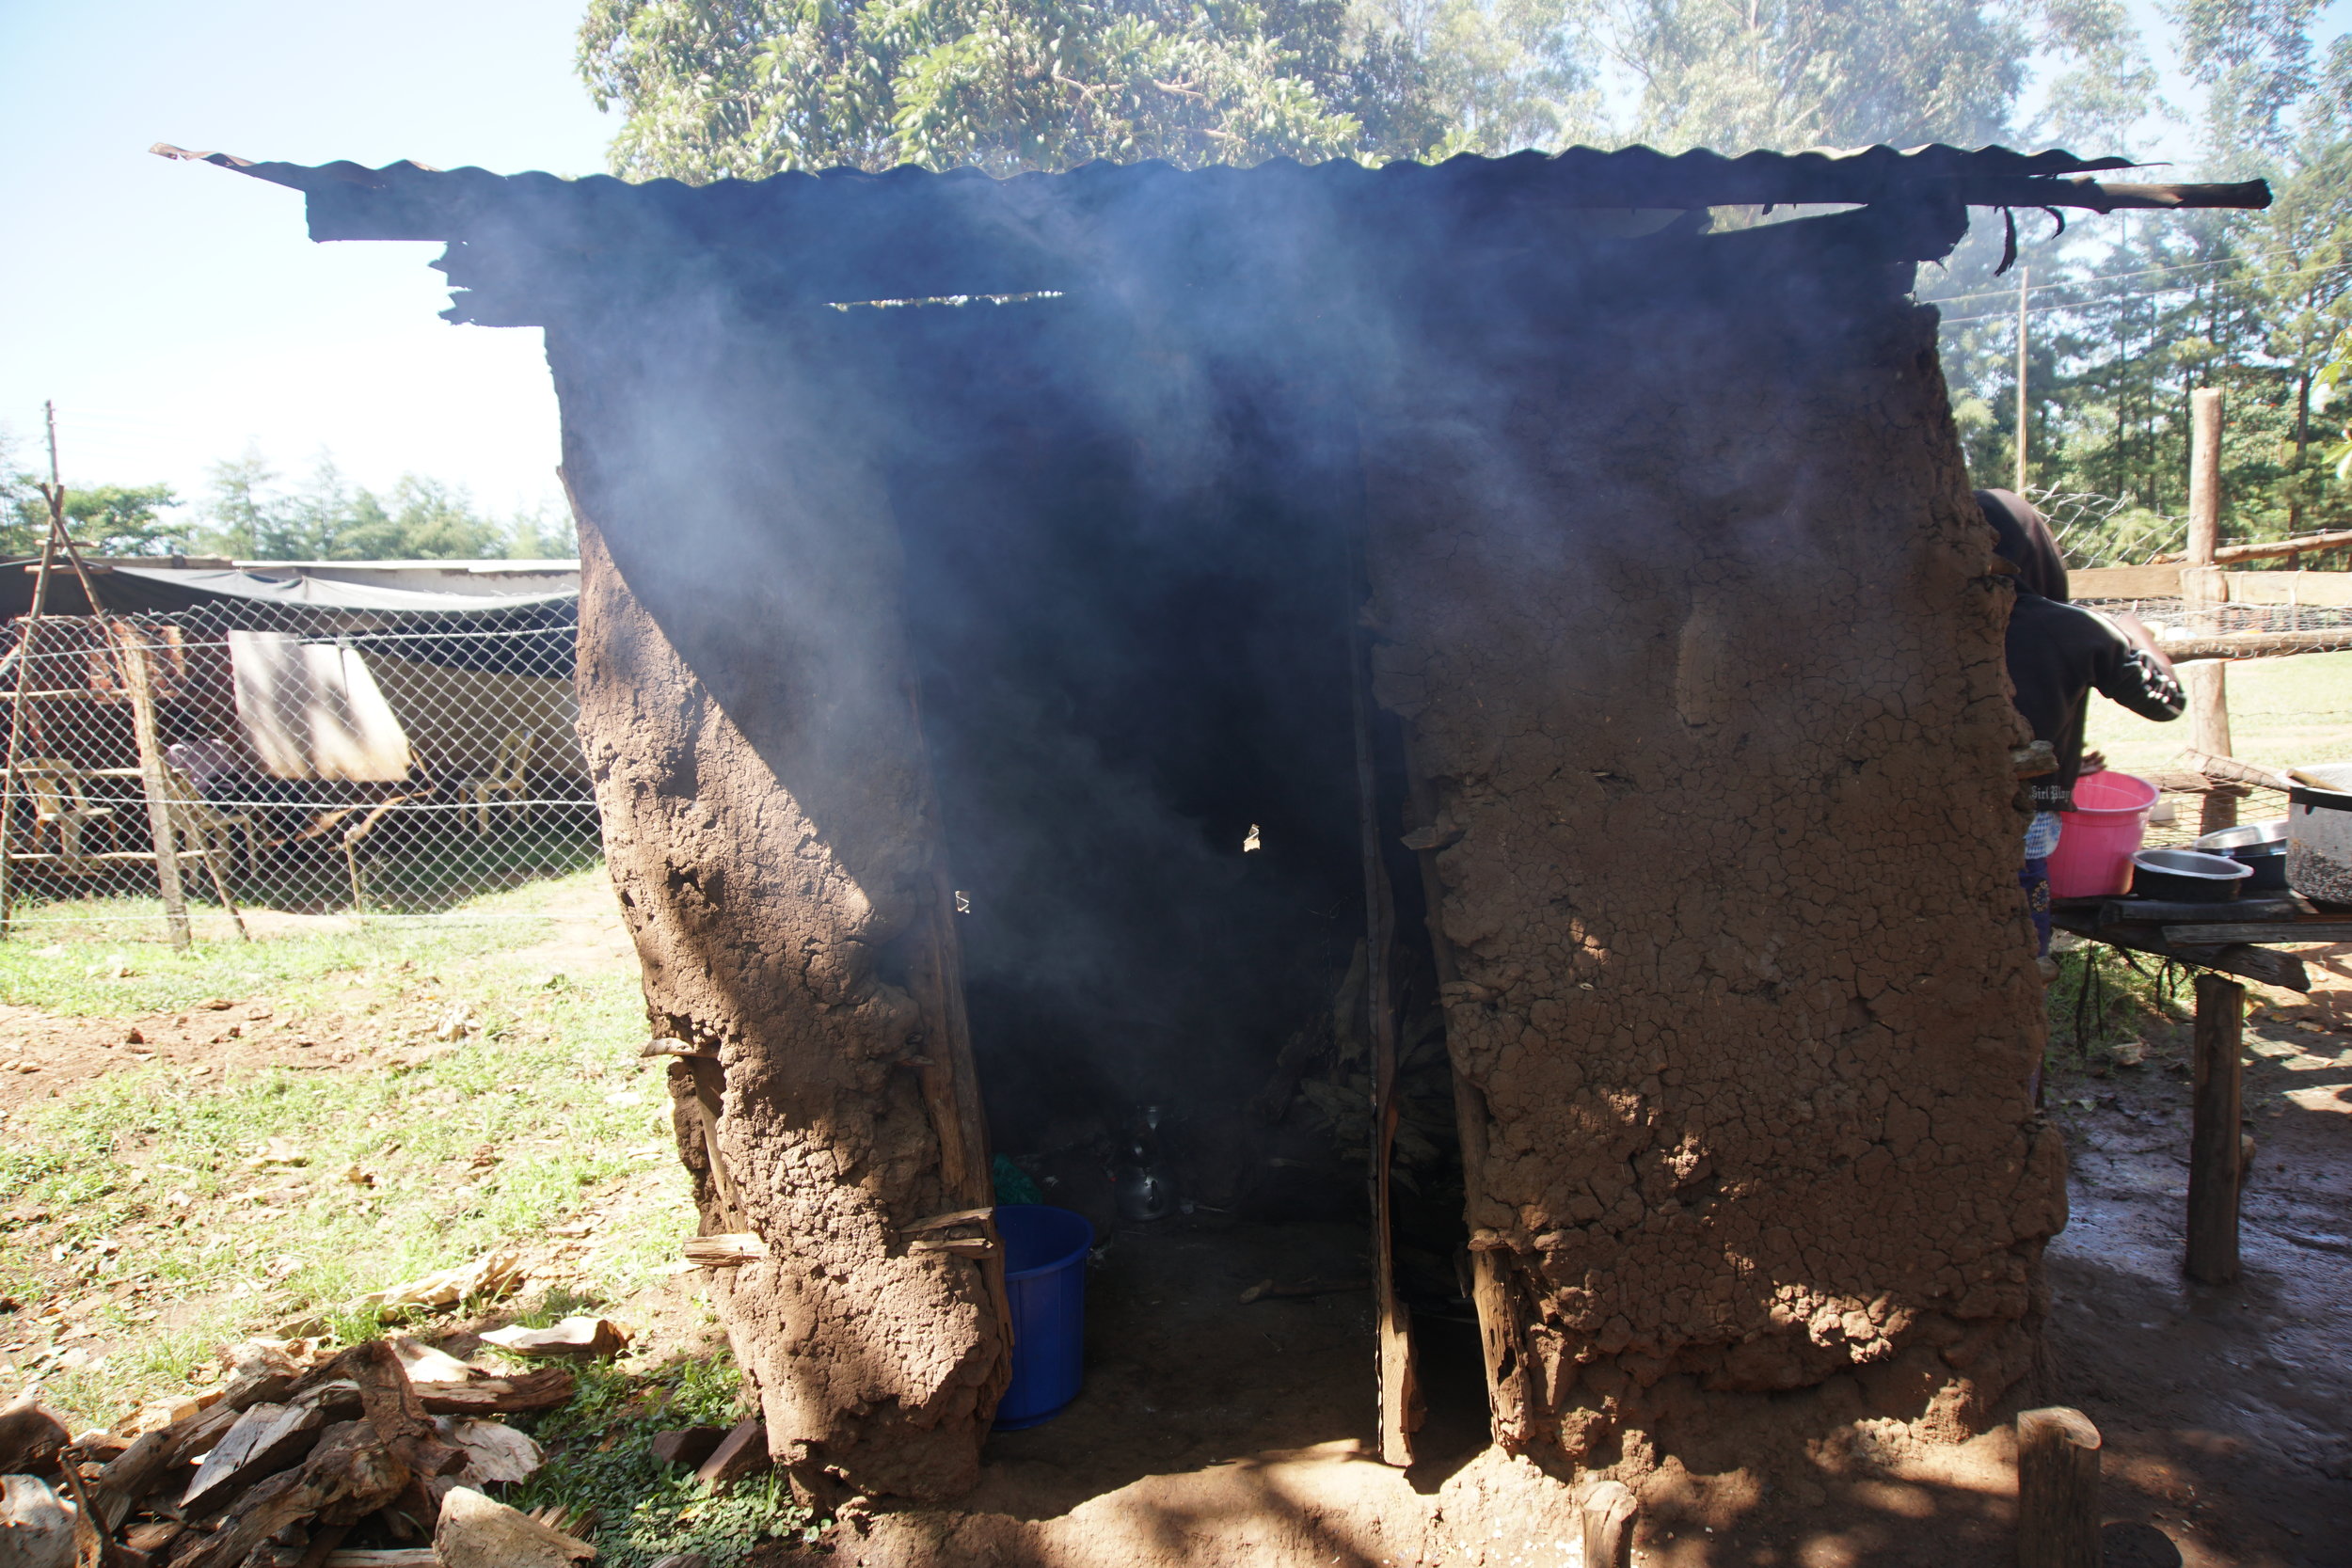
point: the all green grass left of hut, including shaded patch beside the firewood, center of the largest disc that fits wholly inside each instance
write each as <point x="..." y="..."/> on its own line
<point x="140" y="1205"/>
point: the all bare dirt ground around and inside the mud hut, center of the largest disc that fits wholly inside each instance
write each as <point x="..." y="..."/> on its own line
<point x="1224" y="1433"/>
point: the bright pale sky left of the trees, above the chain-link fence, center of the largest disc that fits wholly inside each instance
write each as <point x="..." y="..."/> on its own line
<point x="180" y="311"/>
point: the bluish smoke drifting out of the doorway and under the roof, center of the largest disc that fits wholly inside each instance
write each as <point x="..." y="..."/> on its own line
<point x="1102" y="535"/>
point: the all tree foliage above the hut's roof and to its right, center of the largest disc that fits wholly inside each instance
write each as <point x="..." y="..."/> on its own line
<point x="2127" y="314"/>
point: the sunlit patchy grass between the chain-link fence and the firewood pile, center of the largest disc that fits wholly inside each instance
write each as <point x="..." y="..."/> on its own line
<point x="159" y="1226"/>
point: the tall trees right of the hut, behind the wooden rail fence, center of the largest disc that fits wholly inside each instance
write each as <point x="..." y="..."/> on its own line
<point x="2127" y="319"/>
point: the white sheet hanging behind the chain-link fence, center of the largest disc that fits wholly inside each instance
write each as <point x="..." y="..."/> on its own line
<point x="314" y="711"/>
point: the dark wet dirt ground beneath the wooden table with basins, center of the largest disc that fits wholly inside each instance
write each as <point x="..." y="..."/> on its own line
<point x="2226" y="1409"/>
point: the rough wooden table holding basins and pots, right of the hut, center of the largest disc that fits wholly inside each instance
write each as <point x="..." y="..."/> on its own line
<point x="2212" y="942"/>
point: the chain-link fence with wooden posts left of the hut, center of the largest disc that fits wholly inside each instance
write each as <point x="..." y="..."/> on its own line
<point x="333" y="756"/>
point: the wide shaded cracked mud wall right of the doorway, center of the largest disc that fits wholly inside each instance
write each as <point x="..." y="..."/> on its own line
<point x="1688" y="612"/>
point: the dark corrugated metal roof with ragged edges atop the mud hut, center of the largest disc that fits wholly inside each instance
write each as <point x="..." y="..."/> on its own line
<point x="523" y="241"/>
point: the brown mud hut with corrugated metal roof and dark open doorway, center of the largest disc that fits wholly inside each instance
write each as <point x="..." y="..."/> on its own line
<point x="1036" y="629"/>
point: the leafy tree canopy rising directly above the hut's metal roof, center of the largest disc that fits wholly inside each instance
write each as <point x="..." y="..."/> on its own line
<point x="749" y="88"/>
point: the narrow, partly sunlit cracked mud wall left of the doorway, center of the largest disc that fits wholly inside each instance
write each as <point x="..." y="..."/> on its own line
<point x="770" y="829"/>
